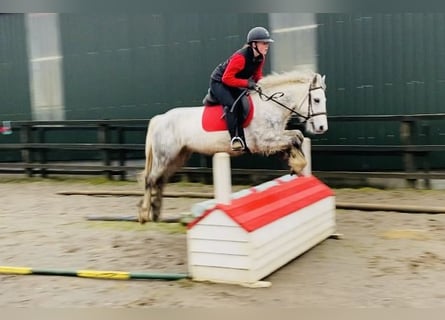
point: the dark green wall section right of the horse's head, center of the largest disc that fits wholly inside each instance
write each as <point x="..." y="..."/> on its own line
<point x="380" y="64"/>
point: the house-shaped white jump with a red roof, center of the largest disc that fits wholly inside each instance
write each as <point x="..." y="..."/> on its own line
<point x="243" y="240"/>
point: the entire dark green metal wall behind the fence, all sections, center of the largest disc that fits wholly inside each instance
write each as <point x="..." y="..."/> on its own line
<point x="138" y="65"/>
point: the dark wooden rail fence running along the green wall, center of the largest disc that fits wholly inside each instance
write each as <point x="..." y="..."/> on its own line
<point x="113" y="152"/>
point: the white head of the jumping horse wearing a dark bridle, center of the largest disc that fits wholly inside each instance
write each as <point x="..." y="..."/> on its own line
<point x="316" y="117"/>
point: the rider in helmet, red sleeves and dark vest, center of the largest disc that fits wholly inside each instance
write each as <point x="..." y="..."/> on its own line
<point x="230" y="79"/>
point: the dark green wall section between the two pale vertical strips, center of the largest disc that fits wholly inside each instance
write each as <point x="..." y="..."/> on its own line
<point x="136" y="66"/>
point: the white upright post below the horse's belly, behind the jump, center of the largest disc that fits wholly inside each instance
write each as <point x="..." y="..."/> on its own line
<point x="222" y="177"/>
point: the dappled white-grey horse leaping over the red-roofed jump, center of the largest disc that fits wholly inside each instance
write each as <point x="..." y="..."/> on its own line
<point x="173" y="136"/>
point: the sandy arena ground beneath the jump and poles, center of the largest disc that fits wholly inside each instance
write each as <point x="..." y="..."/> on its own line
<point x="385" y="259"/>
